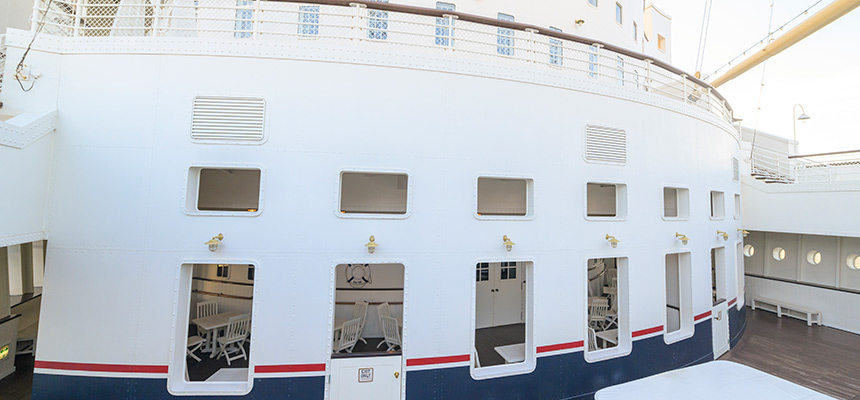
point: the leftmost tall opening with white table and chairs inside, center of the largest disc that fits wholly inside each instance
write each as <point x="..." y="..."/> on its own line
<point x="217" y="321"/>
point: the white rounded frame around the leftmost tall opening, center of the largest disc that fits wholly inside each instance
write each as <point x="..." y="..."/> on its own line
<point x="176" y="383"/>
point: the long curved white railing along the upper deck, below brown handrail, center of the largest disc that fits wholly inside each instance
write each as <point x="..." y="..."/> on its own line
<point x="285" y="21"/>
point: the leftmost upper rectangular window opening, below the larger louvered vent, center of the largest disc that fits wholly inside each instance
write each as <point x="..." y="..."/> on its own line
<point x="219" y="190"/>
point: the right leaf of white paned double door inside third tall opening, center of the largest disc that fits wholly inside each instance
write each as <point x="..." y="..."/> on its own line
<point x="508" y="300"/>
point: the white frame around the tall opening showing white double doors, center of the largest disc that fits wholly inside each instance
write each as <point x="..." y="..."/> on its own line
<point x="527" y="366"/>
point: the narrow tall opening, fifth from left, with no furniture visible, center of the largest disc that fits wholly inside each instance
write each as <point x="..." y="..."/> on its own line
<point x="679" y="315"/>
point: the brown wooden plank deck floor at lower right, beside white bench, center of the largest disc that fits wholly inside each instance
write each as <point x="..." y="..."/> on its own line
<point x="823" y="359"/>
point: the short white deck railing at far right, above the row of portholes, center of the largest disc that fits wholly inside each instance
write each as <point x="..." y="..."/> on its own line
<point x="780" y="167"/>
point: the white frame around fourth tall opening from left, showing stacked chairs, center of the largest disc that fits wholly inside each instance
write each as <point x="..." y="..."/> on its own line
<point x="625" y="335"/>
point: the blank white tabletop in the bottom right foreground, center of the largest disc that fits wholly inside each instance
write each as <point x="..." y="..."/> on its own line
<point x="716" y="380"/>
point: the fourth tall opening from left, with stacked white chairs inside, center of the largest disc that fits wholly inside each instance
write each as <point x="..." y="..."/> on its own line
<point x="607" y="328"/>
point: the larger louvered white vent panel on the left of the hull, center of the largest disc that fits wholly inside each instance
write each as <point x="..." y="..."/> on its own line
<point x="228" y="119"/>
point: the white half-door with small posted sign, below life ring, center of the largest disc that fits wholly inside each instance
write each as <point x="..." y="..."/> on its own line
<point x="365" y="378"/>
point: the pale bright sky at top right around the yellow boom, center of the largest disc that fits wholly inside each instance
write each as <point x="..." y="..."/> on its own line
<point x="821" y="73"/>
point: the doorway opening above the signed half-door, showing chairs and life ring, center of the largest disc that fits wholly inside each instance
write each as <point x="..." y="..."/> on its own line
<point x="368" y="310"/>
